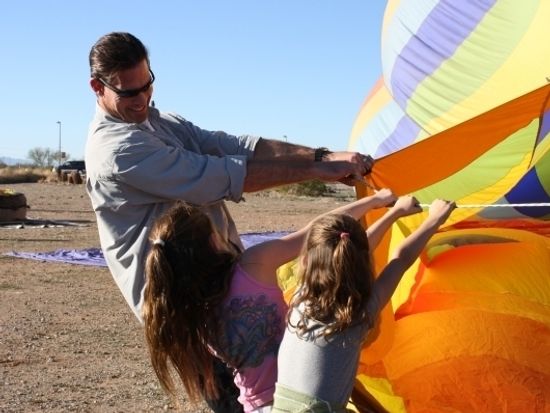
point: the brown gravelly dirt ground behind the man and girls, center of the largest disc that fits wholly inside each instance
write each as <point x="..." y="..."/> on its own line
<point x="68" y="340"/>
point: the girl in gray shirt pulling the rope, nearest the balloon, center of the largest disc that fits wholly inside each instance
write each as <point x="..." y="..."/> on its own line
<point x="336" y="305"/>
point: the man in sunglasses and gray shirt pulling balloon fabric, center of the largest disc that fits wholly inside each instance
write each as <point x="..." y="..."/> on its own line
<point x="139" y="161"/>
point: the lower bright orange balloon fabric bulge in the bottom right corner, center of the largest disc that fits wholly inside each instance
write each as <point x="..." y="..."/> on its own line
<point x="469" y="360"/>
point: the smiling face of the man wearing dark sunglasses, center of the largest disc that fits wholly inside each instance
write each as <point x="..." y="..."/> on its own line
<point x="133" y="109"/>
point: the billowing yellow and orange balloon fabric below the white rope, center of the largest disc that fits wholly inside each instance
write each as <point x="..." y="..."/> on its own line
<point x="475" y="327"/>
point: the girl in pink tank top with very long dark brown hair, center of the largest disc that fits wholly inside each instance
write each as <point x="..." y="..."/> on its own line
<point x="202" y="299"/>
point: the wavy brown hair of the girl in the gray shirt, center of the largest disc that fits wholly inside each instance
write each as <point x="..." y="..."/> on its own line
<point x="336" y="276"/>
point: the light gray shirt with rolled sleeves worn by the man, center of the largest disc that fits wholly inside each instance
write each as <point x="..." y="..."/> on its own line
<point x="135" y="172"/>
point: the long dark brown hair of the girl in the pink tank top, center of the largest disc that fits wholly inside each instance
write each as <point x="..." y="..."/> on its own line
<point x="186" y="280"/>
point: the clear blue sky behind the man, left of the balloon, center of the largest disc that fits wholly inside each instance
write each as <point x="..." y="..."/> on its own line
<point x="294" y="68"/>
